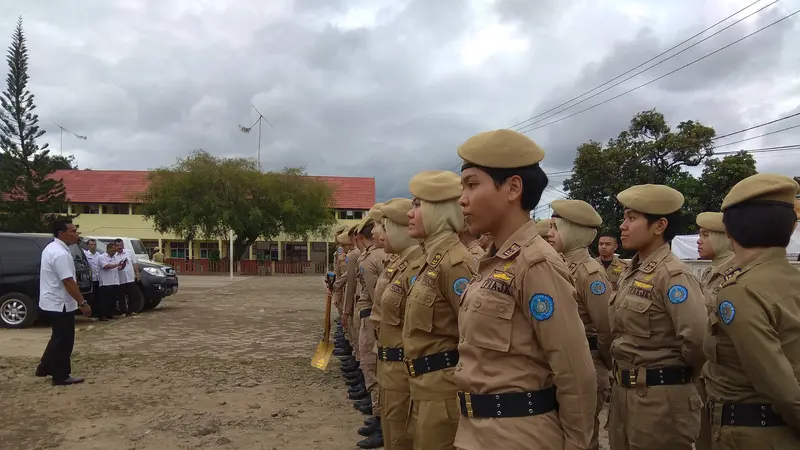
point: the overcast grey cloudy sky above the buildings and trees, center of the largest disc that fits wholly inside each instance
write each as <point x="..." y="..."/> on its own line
<point x="389" y="88"/>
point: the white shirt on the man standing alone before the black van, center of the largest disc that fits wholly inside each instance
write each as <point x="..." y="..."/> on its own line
<point x="56" y="265"/>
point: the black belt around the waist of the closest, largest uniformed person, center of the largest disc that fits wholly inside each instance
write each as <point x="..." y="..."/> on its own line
<point x="517" y="404"/>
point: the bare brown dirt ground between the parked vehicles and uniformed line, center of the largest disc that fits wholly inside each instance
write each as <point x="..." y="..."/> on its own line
<point x="219" y="365"/>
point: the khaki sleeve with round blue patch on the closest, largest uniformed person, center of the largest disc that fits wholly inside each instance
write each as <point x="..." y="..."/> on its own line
<point x="549" y="301"/>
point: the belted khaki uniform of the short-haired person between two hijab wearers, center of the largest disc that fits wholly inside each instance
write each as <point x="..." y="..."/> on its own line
<point x="657" y="320"/>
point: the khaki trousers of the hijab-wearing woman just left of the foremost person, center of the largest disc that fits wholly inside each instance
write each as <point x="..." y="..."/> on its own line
<point x="433" y="423"/>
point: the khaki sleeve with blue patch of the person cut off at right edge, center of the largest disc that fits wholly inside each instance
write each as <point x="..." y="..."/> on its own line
<point x="748" y="322"/>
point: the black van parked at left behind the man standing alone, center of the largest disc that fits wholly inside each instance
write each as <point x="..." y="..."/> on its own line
<point x="20" y="260"/>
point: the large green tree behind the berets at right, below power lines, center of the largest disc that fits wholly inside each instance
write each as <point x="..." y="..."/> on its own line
<point x="649" y="151"/>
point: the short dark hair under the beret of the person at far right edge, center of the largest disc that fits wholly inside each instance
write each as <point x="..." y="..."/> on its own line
<point x="760" y="224"/>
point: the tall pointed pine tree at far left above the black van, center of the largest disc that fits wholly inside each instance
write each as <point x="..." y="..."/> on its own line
<point x="32" y="200"/>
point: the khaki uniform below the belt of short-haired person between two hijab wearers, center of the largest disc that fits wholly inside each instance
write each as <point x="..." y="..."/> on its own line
<point x="654" y="417"/>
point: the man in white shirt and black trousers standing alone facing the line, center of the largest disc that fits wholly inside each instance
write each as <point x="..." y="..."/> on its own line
<point x="59" y="297"/>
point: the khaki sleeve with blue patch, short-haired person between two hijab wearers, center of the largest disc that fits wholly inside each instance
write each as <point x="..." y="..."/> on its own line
<point x="685" y="304"/>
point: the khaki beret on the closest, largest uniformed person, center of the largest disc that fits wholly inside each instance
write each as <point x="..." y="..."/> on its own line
<point x="501" y="149"/>
